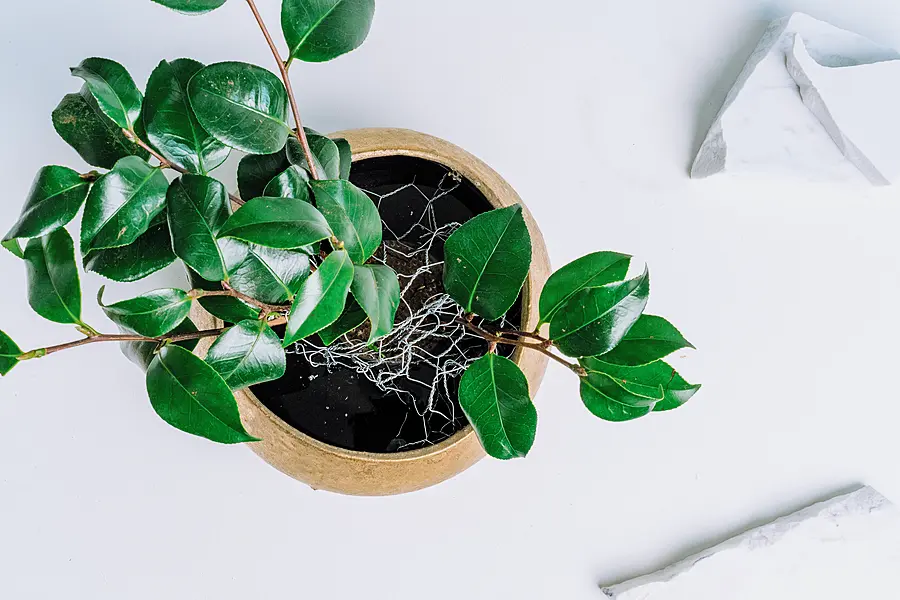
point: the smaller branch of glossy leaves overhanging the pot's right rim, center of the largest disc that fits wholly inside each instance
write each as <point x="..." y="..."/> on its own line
<point x="594" y="316"/>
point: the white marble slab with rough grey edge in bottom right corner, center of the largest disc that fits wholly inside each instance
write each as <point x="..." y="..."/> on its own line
<point x="846" y="547"/>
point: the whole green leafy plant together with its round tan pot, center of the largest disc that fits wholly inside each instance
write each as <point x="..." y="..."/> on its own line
<point x="371" y="314"/>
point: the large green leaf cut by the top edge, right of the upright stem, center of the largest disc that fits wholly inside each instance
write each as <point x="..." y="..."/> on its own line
<point x="320" y="30"/>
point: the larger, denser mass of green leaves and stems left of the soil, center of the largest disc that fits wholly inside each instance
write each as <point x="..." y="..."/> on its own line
<point x="296" y="251"/>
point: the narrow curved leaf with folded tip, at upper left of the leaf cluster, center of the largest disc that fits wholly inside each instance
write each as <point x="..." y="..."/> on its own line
<point x="113" y="88"/>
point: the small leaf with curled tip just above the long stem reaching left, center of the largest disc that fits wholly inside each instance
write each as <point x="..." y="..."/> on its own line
<point x="152" y="314"/>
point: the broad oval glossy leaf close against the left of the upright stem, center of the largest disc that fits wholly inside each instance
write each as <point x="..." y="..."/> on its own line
<point x="242" y="106"/>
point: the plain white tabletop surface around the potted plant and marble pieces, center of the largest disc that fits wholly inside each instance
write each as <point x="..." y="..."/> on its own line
<point x="592" y="109"/>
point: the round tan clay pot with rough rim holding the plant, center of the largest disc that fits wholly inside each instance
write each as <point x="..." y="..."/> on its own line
<point x="327" y="467"/>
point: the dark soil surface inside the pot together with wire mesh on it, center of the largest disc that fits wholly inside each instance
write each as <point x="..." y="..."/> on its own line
<point x="420" y="201"/>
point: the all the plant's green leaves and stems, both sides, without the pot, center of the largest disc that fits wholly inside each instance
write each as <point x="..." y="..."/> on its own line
<point x="297" y="250"/>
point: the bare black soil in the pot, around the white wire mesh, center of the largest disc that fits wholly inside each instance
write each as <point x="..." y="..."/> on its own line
<point x="341" y="407"/>
